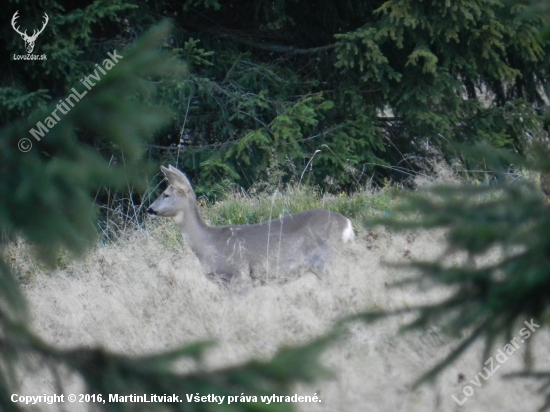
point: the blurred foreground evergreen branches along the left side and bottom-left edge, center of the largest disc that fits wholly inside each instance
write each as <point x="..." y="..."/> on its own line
<point x="46" y="196"/>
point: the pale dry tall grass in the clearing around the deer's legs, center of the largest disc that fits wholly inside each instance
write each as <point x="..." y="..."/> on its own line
<point x="145" y="292"/>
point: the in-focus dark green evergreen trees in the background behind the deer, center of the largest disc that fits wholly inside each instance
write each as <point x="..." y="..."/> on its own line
<point x="367" y="83"/>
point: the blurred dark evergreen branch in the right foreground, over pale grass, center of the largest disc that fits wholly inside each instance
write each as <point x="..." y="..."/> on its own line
<point x="491" y="297"/>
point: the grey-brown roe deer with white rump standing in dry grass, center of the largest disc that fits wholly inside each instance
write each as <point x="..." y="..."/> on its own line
<point x="255" y="253"/>
